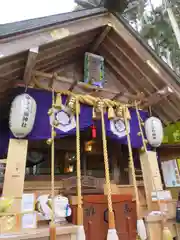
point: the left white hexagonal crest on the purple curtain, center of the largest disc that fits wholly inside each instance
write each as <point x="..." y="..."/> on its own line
<point x="66" y="120"/>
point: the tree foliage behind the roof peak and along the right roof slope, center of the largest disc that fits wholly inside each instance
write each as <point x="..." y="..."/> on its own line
<point x="152" y="24"/>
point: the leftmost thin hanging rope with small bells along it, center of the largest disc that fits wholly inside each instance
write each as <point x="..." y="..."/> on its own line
<point x="52" y="224"/>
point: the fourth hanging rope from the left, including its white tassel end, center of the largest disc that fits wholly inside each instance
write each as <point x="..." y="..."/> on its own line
<point x="141" y="229"/>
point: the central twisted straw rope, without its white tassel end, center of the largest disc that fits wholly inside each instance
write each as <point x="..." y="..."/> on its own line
<point x="107" y="175"/>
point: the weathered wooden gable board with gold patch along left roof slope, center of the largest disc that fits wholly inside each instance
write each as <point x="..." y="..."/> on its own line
<point x="51" y="34"/>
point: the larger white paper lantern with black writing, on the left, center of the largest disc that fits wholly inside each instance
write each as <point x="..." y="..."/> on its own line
<point x="22" y="115"/>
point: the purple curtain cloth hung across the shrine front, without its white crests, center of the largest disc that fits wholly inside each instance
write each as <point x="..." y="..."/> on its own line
<point x="42" y="126"/>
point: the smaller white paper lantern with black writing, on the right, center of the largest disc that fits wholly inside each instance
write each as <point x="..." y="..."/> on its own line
<point x="154" y="131"/>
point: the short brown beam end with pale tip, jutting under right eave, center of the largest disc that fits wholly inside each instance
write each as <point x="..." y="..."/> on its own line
<point x="157" y="96"/>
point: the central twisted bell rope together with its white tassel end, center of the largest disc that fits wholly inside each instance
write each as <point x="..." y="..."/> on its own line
<point x="112" y="234"/>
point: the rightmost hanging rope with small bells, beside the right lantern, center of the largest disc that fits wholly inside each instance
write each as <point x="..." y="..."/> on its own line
<point x="166" y="233"/>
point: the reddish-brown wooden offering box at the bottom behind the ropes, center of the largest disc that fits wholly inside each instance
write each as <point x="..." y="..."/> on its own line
<point x="96" y="216"/>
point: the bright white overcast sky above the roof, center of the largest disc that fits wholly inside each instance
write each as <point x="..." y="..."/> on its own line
<point x="18" y="10"/>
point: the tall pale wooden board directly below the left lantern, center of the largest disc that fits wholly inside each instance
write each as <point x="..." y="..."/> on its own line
<point x="14" y="176"/>
